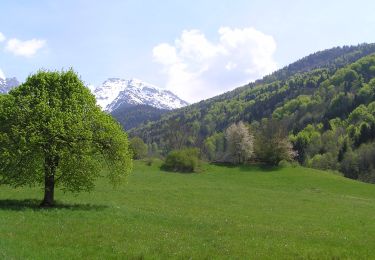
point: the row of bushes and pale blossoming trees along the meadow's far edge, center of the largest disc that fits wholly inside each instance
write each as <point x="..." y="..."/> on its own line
<point x="266" y="142"/>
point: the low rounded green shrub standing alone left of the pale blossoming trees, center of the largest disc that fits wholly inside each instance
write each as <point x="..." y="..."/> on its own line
<point x="185" y="160"/>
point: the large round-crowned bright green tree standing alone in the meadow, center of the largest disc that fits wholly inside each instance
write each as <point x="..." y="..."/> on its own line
<point x="53" y="133"/>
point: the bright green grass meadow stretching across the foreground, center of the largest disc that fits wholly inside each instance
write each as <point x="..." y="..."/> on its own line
<point x="223" y="212"/>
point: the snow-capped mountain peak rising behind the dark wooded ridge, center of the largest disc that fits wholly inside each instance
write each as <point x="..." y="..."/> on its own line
<point x="116" y="92"/>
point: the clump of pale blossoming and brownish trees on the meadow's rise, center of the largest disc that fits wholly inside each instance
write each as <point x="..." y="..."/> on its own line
<point x="266" y="142"/>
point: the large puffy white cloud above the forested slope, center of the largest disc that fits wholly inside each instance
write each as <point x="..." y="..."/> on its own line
<point x="197" y="68"/>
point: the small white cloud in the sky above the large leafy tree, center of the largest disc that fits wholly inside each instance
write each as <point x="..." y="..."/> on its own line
<point x="24" y="48"/>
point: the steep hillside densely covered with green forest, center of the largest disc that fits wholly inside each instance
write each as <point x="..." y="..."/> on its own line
<point x="325" y="102"/>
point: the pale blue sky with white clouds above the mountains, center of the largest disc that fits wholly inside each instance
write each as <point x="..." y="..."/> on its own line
<point x="195" y="48"/>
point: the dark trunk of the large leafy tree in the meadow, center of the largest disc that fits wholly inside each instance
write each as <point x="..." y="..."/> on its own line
<point x="49" y="182"/>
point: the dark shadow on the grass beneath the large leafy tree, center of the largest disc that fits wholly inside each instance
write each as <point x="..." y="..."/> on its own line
<point x="33" y="204"/>
